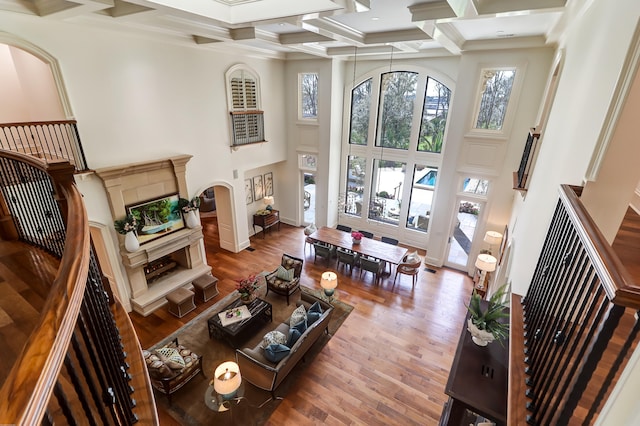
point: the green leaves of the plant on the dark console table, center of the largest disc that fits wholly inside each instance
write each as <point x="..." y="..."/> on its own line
<point x="490" y="318"/>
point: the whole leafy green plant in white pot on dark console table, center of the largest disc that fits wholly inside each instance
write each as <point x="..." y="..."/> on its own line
<point x="487" y="325"/>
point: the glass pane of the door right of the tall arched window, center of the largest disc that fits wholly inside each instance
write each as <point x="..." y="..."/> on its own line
<point x="462" y="234"/>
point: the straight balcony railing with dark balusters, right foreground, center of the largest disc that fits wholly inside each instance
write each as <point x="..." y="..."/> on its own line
<point x="579" y="307"/>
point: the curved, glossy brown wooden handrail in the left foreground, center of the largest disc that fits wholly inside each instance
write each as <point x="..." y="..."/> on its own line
<point x="28" y="388"/>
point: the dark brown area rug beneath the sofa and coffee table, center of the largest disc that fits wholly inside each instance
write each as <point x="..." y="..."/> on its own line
<point x="188" y="406"/>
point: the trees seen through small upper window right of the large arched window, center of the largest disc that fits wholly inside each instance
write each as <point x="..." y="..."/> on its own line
<point x="496" y="89"/>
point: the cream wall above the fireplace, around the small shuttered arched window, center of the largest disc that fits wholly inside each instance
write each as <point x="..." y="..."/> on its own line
<point x="137" y="99"/>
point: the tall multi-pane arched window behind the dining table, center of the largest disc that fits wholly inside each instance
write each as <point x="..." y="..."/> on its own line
<point x="393" y="149"/>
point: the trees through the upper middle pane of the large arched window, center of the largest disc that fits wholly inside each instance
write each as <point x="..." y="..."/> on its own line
<point x="398" y="93"/>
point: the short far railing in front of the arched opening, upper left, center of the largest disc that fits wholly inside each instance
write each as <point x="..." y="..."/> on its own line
<point x="48" y="140"/>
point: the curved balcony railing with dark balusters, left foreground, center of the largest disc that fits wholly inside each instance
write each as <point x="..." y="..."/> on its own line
<point x="76" y="367"/>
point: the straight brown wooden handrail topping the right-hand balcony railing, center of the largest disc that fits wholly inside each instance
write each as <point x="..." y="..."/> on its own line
<point x="616" y="281"/>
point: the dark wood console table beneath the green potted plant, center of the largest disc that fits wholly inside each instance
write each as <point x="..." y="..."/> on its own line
<point x="478" y="381"/>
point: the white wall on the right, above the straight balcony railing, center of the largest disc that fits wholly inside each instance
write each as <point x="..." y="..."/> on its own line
<point x="595" y="49"/>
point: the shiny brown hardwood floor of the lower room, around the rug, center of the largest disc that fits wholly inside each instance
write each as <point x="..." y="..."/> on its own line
<point x="387" y="364"/>
